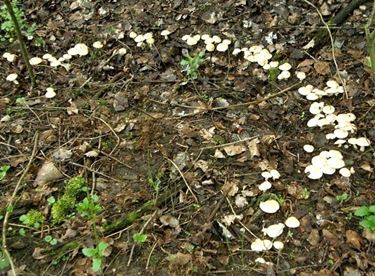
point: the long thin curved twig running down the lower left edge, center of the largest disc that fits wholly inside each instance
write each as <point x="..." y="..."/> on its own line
<point x="10" y="206"/>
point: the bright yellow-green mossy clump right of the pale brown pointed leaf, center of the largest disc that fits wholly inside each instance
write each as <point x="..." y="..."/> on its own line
<point x="62" y="208"/>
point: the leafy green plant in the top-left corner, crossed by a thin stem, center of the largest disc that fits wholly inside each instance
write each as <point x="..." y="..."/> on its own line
<point x="7" y="27"/>
